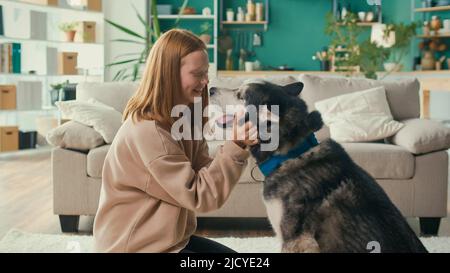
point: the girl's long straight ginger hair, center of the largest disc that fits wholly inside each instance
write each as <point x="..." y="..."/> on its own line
<point x="154" y="98"/>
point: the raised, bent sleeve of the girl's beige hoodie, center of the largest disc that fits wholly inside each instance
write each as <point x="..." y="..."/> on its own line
<point x="201" y="191"/>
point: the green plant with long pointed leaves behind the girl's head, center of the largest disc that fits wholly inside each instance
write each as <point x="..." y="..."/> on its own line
<point x="132" y="62"/>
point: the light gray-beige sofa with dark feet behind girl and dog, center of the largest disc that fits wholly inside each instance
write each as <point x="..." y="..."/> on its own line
<point x="413" y="173"/>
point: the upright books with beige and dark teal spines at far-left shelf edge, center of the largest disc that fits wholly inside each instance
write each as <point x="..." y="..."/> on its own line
<point x="10" y="58"/>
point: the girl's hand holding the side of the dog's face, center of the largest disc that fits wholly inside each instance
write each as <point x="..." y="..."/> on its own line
<point x="245" y="134"/>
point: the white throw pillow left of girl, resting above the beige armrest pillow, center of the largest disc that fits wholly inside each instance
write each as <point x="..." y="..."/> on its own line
<point x="104" y="119"/>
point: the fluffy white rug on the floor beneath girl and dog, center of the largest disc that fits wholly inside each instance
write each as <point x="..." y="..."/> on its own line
<point x="17" y="241"/>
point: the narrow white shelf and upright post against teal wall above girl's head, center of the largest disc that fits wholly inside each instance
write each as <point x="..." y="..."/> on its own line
<point x="213" y="17"/>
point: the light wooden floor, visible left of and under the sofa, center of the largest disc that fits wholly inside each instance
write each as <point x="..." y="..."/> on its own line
<point x="26" y="202"/>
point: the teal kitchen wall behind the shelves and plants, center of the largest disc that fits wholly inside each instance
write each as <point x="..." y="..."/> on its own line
<point x="296" y="29"/>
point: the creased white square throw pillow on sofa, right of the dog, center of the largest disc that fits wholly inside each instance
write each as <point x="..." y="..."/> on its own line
<point x="359" y="116"/>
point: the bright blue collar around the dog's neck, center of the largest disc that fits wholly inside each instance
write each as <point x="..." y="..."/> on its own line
<point x="274" y="162"/>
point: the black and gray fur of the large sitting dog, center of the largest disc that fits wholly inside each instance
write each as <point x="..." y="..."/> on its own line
<point x="322" y="201"/>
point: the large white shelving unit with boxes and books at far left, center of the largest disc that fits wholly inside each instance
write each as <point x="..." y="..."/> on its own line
<point x="17" y="21"/>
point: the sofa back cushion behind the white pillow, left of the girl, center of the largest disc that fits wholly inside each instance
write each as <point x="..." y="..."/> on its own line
<point x="115" y="94"/>
